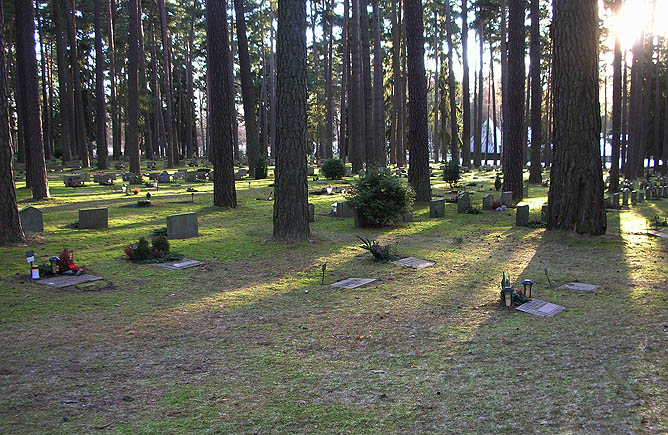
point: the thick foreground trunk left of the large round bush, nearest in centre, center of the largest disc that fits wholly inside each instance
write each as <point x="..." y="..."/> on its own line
<point x="291" y="191"/>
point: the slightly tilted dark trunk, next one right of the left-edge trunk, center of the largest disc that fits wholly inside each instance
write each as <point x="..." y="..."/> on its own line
<point x="26" y="66"/>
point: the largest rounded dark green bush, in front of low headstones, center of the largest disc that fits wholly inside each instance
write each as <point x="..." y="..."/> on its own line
<point x="380" y="199"/>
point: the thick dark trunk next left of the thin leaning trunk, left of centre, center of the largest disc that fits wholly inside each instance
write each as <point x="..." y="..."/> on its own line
<point x="222" y="156"/>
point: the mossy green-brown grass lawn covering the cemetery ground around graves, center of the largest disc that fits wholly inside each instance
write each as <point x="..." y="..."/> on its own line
<point x="252" y="343"/>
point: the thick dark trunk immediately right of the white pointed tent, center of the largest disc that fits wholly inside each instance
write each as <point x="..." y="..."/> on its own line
<point x="513" y="161"/>
